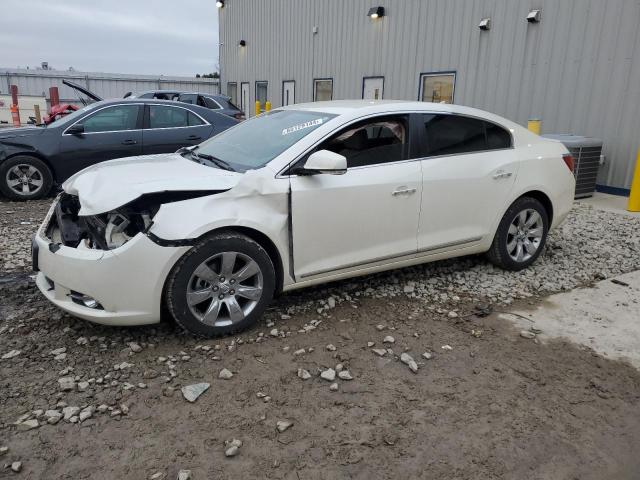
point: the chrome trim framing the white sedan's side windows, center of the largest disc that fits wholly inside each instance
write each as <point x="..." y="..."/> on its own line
<point x="281" y="174"/>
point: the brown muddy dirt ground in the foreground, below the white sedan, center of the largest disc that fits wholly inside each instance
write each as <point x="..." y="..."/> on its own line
<point x="495" y="406"/>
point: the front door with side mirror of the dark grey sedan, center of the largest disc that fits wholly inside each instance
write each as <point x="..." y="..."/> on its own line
<point x="109" y="132"/>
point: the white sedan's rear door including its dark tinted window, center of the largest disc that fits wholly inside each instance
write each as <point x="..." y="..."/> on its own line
<point x="464" y="193"/>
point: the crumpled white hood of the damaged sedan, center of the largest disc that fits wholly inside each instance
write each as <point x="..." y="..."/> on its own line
<point x="106" y="186"/>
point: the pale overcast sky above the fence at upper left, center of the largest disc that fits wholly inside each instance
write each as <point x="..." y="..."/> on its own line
<point x="155" y="37"/>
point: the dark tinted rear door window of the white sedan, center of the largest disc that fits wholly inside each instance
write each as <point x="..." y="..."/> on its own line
<point x="456" y="134"/>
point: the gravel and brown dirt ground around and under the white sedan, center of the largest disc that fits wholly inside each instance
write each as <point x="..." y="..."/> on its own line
<point x="484" y="402"/>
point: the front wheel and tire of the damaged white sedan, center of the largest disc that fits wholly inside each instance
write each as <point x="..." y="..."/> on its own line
<point x="221" y="286"/>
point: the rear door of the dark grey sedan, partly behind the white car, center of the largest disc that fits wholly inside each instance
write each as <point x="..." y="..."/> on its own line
<point x="168" y="128"/>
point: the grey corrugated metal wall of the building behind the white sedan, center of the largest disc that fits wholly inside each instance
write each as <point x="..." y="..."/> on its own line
<point x="578" y="70"/>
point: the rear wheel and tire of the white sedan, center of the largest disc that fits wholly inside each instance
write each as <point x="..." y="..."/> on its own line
<point x="521" y="235"/>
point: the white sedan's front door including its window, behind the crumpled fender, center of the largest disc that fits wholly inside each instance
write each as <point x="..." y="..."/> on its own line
<point x="366" y="216"/>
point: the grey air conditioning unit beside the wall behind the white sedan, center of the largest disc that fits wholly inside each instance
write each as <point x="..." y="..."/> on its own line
<point x="587" y="157"/>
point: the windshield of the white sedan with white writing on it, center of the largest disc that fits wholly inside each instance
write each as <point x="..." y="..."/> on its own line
<point x="255" y="142"/>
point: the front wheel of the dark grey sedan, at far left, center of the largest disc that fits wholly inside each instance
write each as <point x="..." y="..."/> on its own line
<point x="25" y="178"/>
